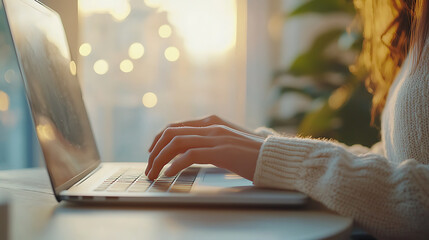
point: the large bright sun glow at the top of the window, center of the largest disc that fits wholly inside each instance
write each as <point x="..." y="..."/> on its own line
<point x="207" y="27"/>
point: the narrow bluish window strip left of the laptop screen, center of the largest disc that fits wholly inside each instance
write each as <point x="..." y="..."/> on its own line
<point x="18" y="145"/>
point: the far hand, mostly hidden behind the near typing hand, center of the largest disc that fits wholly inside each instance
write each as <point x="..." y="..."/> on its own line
<point x="205" y="122"/>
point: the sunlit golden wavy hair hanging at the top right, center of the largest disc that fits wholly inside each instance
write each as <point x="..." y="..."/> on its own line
<point x="391" y="29"/>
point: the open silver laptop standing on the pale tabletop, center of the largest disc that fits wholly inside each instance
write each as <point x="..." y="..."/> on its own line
<point x="76" y="171"/>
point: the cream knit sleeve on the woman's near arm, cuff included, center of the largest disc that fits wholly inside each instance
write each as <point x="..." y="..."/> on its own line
<point x="389" y="200"/>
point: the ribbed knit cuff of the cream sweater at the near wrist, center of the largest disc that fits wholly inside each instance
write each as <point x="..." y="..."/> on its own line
<point x="279" y="161"/>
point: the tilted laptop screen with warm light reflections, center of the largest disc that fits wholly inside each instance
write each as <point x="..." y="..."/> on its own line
<point x="53" y="91"/>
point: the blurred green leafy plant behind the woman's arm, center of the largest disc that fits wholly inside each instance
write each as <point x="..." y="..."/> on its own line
<point x="343" y="109"/>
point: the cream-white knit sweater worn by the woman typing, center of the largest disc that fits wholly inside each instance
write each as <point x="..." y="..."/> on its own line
<point x="385" y="189"/>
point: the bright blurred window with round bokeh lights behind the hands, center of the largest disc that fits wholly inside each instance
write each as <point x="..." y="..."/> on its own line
<point x="148" y="63"/>
